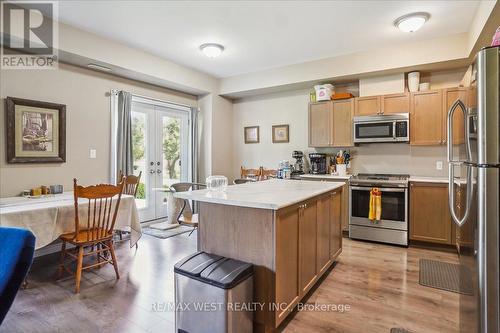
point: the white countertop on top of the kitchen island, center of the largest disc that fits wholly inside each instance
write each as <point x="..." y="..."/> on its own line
<point x="270" y="194"/>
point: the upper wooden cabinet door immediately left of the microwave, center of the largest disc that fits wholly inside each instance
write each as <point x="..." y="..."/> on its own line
<point x="343" y="111"/>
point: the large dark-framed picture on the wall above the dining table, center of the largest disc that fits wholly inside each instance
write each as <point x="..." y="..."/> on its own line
<point x="36" y="131"/>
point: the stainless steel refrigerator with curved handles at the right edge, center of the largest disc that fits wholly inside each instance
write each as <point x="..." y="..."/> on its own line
<point x="473" y="126"/>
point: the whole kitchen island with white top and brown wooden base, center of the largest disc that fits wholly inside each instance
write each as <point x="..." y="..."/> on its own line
<point x="289" y="229"/>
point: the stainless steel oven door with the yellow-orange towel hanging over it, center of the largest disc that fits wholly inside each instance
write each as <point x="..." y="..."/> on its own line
<point x="394" y="207"/>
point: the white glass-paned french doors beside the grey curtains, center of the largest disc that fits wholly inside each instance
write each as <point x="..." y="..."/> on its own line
<point x="160" y="140"/>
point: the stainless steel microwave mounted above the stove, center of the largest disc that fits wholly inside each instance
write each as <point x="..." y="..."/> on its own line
<point x="389" y="128"/>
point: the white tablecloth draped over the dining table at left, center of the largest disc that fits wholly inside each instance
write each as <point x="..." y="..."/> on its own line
<point x="50" y="217"/>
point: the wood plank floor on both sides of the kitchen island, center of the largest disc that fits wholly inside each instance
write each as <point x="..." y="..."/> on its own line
<point x="378" y="282"/>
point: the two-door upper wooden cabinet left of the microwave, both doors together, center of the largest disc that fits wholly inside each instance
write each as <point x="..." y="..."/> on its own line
<point x="330" y="123"/>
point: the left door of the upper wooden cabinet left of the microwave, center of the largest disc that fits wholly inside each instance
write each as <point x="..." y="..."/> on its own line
<point x="320" y="124"/>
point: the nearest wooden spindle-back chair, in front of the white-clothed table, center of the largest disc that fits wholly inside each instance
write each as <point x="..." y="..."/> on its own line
<point x="96" y="233"/>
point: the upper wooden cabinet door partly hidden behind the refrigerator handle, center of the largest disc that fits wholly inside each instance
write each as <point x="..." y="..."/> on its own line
<point x="449" y="97"/>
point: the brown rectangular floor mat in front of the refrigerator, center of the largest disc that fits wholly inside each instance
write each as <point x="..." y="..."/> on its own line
<point x="445" y="276"/>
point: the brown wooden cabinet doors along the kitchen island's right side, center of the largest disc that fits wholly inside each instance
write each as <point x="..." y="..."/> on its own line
<point x="308" y="240"/>
